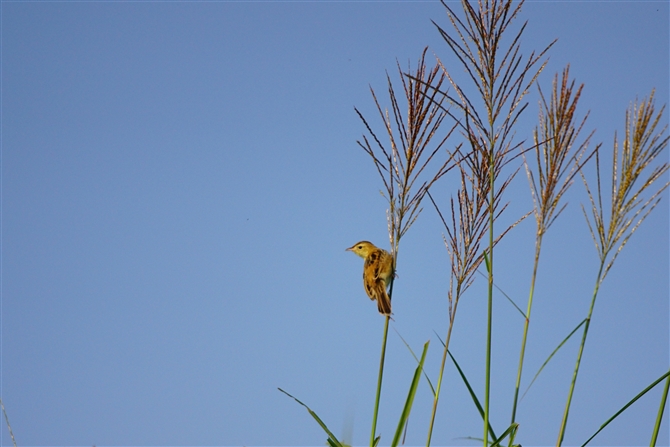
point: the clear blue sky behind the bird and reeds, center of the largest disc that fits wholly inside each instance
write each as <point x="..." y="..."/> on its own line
<point x="180" y="181"/>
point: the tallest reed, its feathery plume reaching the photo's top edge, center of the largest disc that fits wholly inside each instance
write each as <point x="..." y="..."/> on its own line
<point x="489" y="50"/>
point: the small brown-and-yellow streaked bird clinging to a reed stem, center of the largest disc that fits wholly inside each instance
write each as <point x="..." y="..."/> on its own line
<point x="377" y="273"/>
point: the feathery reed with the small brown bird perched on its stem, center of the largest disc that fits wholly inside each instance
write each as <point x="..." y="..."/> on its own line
<point x="402" y="166"/>
